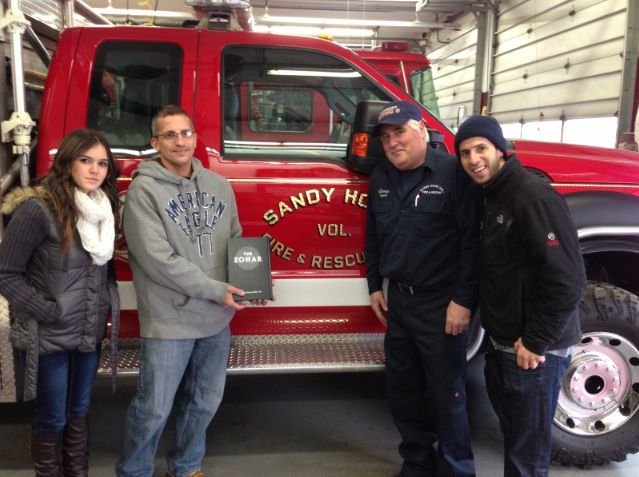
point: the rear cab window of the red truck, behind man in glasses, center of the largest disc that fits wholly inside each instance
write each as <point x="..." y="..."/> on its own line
<point x="130" y="83"/>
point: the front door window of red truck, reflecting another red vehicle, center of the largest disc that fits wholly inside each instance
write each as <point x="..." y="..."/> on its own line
<point x="290" y="104"/>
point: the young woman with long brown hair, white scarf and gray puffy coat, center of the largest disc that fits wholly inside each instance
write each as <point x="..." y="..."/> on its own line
<point x="56" y="269"/>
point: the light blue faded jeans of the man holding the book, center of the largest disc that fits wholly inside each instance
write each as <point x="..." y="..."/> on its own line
<point x="191" y="372"/>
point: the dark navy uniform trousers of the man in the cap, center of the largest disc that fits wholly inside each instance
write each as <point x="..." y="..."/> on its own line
<point x="426" y="370"/>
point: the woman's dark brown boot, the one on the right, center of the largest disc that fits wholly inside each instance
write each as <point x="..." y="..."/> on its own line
<point x="75" y="447"/>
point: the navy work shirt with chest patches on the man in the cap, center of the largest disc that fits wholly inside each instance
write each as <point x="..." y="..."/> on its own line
<point x="427" y="236"/>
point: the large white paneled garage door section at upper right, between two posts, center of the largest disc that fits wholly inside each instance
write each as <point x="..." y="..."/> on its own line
<point x="557" y="58"/>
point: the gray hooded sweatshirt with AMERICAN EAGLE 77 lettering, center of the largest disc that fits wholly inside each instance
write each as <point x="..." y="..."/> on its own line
<point x="177" y="230"/>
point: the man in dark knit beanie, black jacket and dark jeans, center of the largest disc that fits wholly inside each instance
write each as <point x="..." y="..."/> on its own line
<point x="532" y="278"/>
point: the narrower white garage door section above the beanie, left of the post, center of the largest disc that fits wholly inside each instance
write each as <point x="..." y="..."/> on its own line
<point x="453" y="65"/>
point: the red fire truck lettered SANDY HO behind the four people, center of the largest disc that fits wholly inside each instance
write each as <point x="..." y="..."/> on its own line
<point x="278" y="117"/>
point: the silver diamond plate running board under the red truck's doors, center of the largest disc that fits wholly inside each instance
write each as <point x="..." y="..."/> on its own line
<point x="266" y="354"/>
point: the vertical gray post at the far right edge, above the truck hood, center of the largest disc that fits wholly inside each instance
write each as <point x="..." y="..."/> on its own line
<point x="629" y="69"/>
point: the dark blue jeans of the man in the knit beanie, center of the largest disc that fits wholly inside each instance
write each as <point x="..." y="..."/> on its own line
<point x="525" y="401"/>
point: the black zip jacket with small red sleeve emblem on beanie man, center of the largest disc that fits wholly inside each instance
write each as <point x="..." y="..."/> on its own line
<point x="532" y="275"/>
